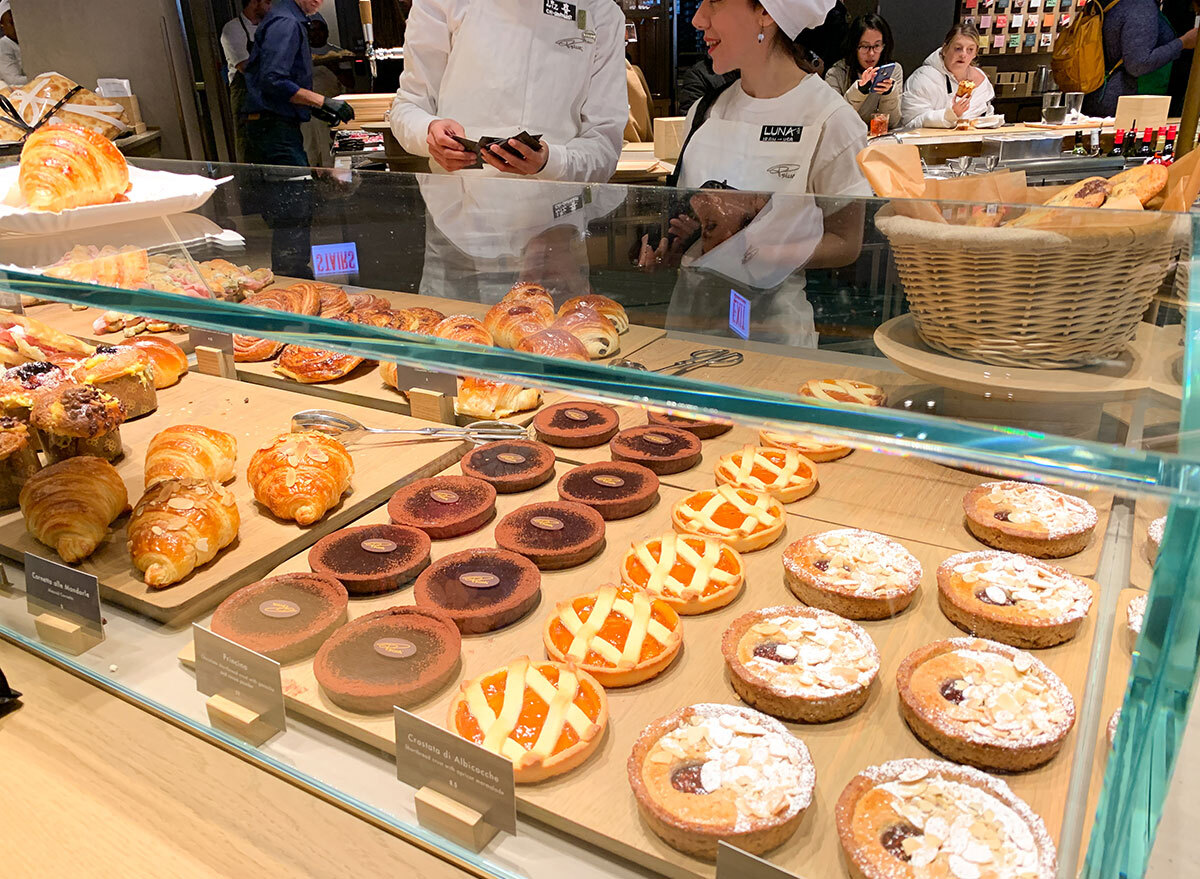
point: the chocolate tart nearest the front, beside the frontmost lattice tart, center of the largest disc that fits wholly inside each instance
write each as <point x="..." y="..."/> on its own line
<point x="399" y="656"/>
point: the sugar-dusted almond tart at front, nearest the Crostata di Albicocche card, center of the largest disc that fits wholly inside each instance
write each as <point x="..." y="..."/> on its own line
<point x="715" y="773"/>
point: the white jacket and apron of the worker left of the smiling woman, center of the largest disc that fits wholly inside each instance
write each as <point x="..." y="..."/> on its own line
<point x="501" y="67"/>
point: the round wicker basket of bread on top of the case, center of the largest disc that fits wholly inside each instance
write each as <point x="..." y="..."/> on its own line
<point x="1030" y="297"/>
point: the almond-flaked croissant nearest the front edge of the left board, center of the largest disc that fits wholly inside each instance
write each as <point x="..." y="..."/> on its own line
<point x="181" y="525"/>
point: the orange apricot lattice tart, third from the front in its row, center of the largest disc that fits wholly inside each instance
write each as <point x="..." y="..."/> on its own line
<point x="694" y="575"/>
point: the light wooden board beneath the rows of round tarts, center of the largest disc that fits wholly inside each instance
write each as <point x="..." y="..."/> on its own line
<point x="595" y="803"/>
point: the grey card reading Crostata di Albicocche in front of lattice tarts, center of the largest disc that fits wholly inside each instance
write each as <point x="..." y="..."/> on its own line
<point x="430" y="757"/>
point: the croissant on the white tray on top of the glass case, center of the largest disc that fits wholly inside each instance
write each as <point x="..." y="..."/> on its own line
<point x="64" y="168"/>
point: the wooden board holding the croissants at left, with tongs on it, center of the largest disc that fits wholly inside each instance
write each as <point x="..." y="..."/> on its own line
<point x="255" y="416"/>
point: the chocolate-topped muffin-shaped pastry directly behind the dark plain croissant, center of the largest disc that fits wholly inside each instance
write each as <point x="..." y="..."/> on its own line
<point x="79" y="420"/>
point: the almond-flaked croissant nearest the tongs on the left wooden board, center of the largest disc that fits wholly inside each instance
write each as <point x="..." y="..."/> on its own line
<point x="301" y="476"/>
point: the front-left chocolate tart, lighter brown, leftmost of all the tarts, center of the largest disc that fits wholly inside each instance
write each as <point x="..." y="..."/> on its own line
<point x="284" y="618"/>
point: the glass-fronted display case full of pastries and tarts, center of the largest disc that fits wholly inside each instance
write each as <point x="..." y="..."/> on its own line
<point x="673" y="504"/>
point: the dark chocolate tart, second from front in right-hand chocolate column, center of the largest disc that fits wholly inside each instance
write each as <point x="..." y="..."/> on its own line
<point x="482" y="590"/>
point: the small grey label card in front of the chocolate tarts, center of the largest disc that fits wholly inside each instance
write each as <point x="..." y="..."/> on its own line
<point x="241" y="675"/>
